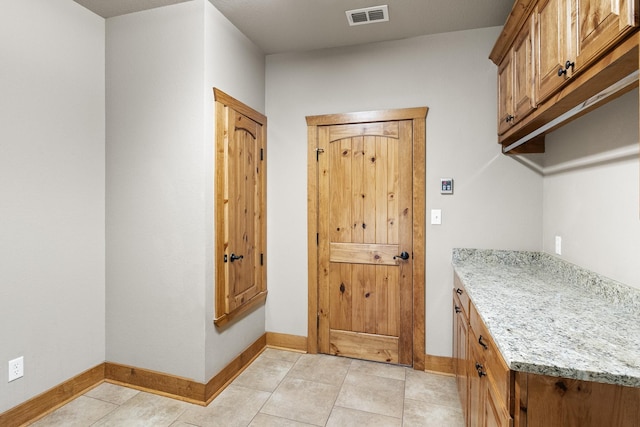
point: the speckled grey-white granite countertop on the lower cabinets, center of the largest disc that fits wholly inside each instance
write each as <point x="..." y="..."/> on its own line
<point x="550" y="317"/>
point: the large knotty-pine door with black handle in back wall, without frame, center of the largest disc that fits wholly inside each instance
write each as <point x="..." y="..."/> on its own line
<point x="365" y="226"/>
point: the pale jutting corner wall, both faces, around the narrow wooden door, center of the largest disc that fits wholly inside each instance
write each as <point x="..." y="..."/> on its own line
<point x="161" y="67"/>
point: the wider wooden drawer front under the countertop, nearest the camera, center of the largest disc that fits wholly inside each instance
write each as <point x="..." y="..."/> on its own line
<point x="495" y="367"/>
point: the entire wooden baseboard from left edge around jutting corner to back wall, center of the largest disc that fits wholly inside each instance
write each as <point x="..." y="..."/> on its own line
<point x="138" y="378"/>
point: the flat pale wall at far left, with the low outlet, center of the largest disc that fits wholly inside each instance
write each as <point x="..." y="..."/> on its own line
<point x="52" y="178"/>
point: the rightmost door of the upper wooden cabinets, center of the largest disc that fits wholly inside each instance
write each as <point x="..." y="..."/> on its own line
<point x="600" y="23"/>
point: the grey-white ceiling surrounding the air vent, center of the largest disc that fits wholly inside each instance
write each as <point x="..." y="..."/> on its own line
<point x="278" y="26"/>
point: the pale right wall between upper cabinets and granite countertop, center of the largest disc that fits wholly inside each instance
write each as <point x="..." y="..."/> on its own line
<point x="591" y="191"/>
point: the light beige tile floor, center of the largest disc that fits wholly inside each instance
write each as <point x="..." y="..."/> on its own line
<point x="282" y="388"/>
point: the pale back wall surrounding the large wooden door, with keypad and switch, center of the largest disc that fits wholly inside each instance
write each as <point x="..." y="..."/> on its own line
<point x="496" y="202"/>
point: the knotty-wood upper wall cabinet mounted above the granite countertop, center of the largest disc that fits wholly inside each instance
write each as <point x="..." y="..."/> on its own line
<point x="553" y="55"/>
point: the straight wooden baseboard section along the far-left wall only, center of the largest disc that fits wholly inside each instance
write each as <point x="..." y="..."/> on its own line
<point x="52" y="399"/>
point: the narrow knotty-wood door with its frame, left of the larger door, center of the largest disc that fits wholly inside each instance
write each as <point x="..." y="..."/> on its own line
<point x="240" y="208"/>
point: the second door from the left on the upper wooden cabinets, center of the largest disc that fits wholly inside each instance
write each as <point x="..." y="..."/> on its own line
<point x="523" y="71"/>
